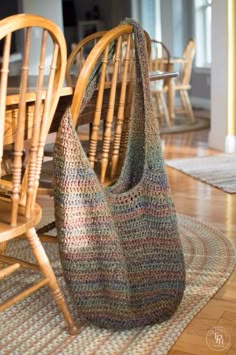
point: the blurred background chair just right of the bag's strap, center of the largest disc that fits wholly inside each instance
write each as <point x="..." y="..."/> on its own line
<point x="159" y="60"/>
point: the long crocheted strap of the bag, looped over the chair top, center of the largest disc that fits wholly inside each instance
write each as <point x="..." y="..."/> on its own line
<point x="144" y="138"/>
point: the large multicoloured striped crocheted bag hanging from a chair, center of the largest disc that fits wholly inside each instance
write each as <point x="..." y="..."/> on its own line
<point x="119" y="246"/>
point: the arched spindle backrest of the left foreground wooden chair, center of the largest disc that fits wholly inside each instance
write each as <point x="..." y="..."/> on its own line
<point x="43" y="89"/>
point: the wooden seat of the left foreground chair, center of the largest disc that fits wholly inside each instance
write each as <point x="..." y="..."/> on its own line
<point x="23" y="224"/>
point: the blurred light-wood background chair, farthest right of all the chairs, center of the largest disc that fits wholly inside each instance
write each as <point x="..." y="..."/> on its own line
<point x="182" y="84"/>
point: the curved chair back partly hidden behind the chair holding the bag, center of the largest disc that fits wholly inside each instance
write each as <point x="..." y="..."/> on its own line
<point x="78" y="55"/>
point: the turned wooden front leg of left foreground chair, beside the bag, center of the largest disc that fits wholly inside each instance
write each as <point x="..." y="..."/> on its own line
<point x="48" y="272"/>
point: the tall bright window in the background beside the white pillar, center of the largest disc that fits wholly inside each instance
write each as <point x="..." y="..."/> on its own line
<point x="203" y="33"/>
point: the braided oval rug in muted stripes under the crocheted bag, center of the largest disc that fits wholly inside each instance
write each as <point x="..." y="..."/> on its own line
<point x="35" y="326"/>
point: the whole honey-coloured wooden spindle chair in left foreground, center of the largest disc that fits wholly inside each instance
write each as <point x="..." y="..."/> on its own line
<point x="19" y="212"/>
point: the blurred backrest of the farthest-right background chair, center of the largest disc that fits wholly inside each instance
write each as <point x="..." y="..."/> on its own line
<point x="185" y="70"/>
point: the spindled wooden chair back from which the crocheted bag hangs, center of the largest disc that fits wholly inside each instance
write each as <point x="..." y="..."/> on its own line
<point x="113" y="55"/>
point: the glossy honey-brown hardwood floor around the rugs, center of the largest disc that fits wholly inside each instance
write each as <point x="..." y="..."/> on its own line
<point x="217" y="208"/>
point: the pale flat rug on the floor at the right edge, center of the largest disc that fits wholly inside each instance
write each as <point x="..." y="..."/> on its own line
<point x="216" y="170"/>
